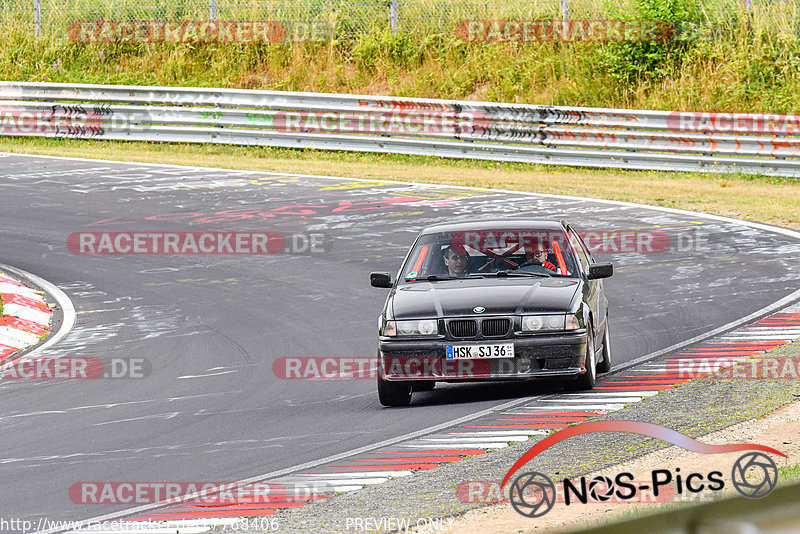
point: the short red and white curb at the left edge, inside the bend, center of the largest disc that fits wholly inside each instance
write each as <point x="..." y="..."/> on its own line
<point x="25" y="318"/>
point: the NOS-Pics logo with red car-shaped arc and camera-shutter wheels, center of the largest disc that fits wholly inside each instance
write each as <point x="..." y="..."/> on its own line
<point x="533" y="494"/>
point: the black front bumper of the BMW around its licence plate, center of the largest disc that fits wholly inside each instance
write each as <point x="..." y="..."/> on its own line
<point x="539" y="356"/>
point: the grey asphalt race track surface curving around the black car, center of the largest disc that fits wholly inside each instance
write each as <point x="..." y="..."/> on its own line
<point x="211" y="326"/>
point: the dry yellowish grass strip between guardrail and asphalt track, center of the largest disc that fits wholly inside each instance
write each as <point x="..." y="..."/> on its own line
<point x="771" y="200"/>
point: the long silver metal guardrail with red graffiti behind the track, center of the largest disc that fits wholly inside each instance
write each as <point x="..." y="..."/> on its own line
<point x="618" y="138"/>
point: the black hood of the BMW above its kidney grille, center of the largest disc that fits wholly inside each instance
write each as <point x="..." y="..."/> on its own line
<point x="448" y="298"/>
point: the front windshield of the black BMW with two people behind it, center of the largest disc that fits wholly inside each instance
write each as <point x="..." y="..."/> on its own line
<point x="493" y="254"/>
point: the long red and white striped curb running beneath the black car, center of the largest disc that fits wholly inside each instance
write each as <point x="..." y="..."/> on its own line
<point x="539" y="417"/>
